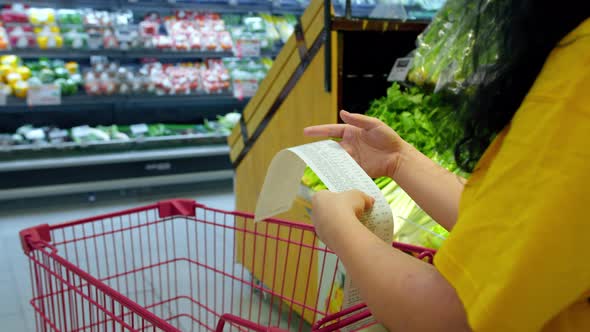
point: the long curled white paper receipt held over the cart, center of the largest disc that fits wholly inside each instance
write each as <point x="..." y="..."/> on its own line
<point x="339" y="172"/>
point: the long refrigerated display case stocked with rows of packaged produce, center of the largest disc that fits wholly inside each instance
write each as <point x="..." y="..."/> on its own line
<point x="138" y="63"/>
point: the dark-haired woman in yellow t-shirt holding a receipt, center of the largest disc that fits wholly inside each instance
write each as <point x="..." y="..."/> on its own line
<point x="517" y="255"/>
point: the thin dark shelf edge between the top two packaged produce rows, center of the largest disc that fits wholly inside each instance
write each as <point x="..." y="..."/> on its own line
<point x="70" y="54"/>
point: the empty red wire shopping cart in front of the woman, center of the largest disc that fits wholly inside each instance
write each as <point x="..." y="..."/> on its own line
<point x="180" y="266"/>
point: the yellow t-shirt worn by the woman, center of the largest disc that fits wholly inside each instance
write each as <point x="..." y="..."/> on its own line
<point x="519" y="254"/>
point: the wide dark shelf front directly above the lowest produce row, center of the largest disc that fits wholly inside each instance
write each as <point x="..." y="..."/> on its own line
<point x="106" y="110"/>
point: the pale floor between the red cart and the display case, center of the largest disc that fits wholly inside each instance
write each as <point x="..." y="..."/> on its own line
<point x="16" y="314"/>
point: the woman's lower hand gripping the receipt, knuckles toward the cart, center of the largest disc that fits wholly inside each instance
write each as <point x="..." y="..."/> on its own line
<point x="333" y="213"/>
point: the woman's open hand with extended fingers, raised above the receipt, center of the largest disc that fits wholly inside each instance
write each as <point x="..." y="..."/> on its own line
<point x="373" y="144"/>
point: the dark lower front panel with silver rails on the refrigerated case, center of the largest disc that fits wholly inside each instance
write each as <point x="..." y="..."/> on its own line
<point x="95" y="171"/>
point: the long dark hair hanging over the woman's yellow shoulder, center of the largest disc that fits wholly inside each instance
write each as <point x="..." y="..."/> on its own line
<point x="527" y="31"/>
